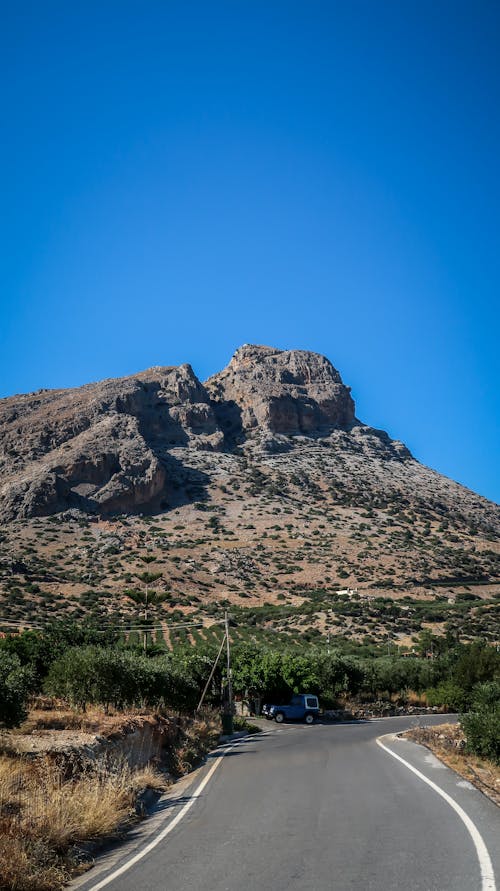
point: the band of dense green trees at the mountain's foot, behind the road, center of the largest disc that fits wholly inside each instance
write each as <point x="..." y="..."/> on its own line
<point x="84" y="666"/>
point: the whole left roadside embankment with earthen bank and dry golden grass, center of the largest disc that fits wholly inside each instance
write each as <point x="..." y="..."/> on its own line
<point x="65" y="788"/>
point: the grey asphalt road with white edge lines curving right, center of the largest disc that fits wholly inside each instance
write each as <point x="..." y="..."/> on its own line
<point x="314" y="808"/>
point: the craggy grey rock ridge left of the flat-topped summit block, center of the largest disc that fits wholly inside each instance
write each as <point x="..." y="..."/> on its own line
<point x="99" y="448"/>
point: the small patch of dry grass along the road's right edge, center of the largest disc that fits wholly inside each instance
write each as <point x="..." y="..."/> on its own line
<point x="446" y="742"/>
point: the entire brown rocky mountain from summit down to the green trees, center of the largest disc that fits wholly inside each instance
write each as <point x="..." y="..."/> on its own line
<point x="259" y="488"/>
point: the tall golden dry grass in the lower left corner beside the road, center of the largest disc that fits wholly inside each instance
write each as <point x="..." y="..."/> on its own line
<point x="43" y="815"/>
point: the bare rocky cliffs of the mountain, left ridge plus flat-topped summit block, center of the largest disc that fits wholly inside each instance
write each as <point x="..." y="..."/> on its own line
<point x="106" y="447"/>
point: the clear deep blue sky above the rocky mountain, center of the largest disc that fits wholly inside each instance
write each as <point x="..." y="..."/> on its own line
<point x="179" y="178"/>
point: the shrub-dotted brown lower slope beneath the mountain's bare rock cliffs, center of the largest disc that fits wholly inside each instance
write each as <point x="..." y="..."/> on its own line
<point x="279" y="539"/>
